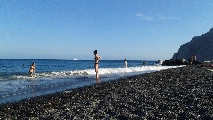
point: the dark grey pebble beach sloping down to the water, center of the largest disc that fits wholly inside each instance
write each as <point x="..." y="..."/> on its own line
<point x="181" y="93"/>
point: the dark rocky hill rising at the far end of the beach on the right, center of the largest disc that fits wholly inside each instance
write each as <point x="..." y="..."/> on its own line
<point x="201" y="46"/>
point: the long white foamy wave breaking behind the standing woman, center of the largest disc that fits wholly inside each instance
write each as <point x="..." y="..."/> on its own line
<point x="102" y="71"/>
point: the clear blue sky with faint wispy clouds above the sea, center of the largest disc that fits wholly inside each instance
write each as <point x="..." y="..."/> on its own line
<point x="118" y="29"/>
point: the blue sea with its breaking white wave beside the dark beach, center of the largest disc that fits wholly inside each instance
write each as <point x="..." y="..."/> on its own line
<point x="54" y="75"/>
